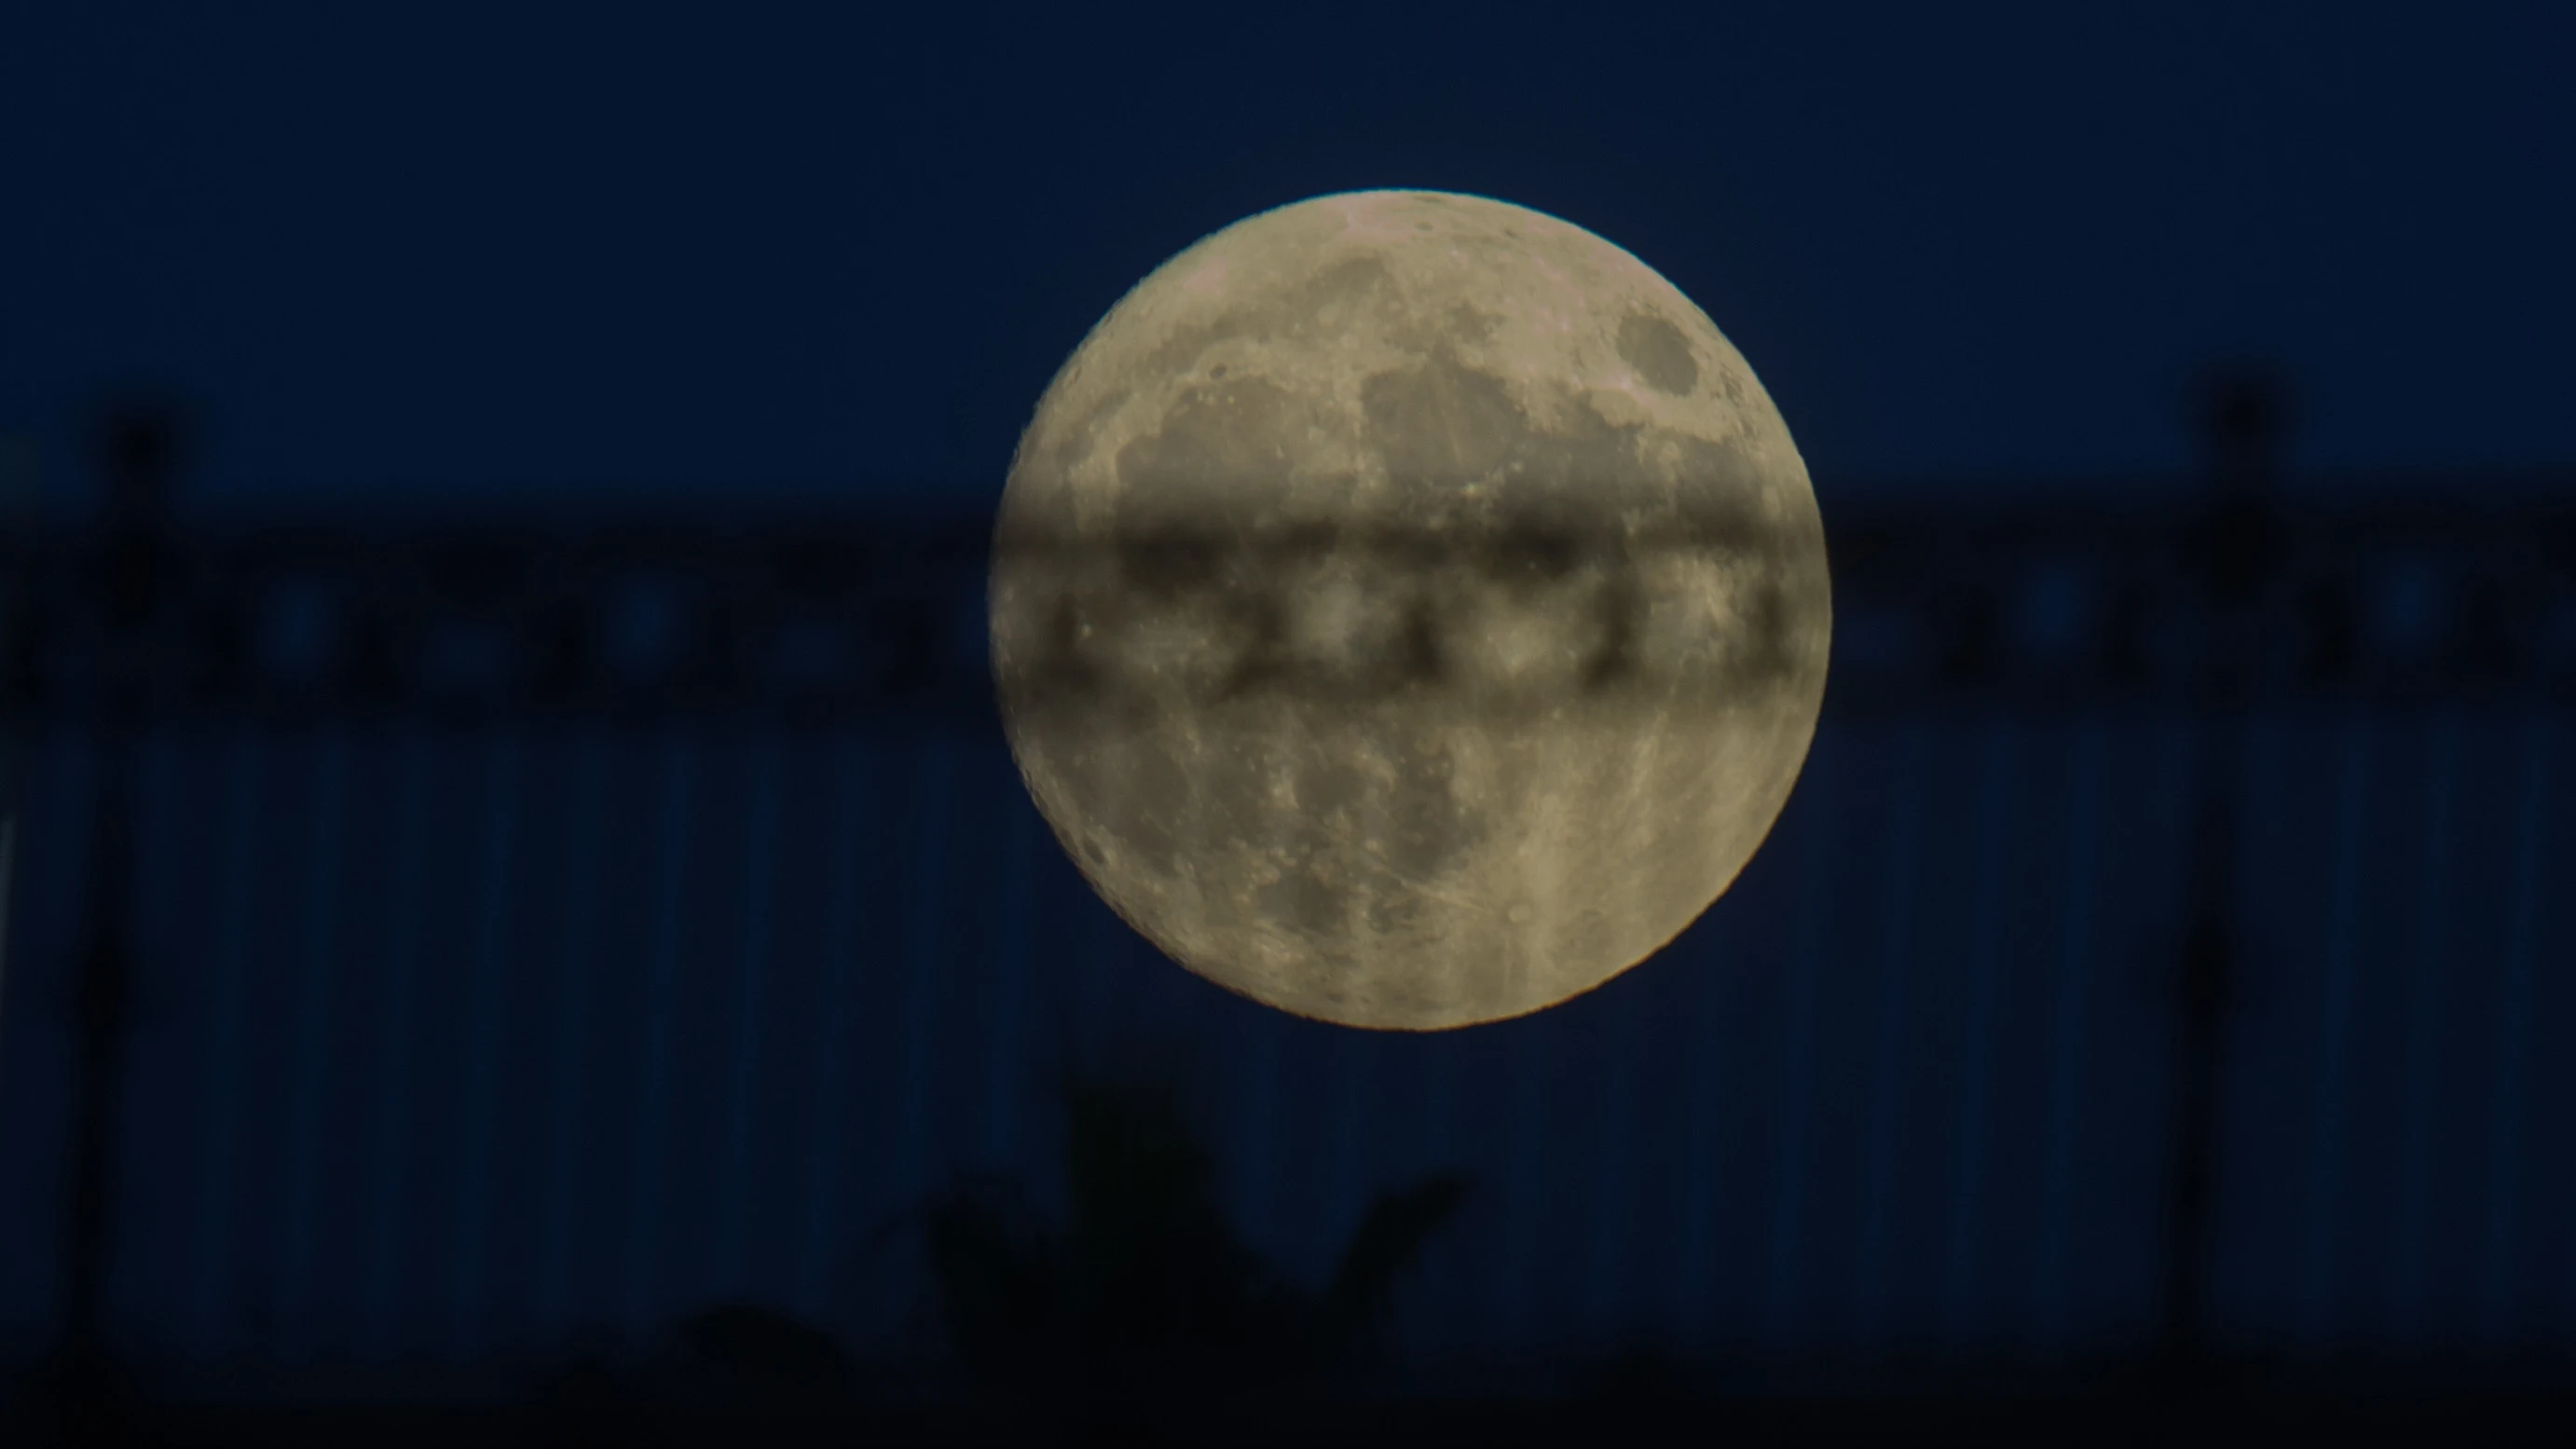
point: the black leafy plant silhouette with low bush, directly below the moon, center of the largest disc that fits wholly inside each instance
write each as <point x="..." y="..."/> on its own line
<point x="1142" y="1319"/>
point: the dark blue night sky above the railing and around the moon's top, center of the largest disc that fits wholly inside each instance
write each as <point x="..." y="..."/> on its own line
<point x="478" y="251"/>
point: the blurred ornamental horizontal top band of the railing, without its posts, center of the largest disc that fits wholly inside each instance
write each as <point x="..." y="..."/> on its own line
<point x="846" y="619"/>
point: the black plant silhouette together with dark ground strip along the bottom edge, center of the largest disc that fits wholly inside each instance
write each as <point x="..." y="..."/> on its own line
<point x="1145" y="1319"/>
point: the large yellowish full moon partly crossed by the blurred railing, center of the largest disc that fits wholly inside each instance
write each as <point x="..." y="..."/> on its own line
<point x="1403" y="789"/>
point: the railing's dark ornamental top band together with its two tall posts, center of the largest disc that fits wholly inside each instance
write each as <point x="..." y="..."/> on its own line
<point x="2222" y="604"/>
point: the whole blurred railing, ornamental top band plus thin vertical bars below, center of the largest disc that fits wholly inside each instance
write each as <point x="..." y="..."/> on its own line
<point x="1944" y="905"/>
